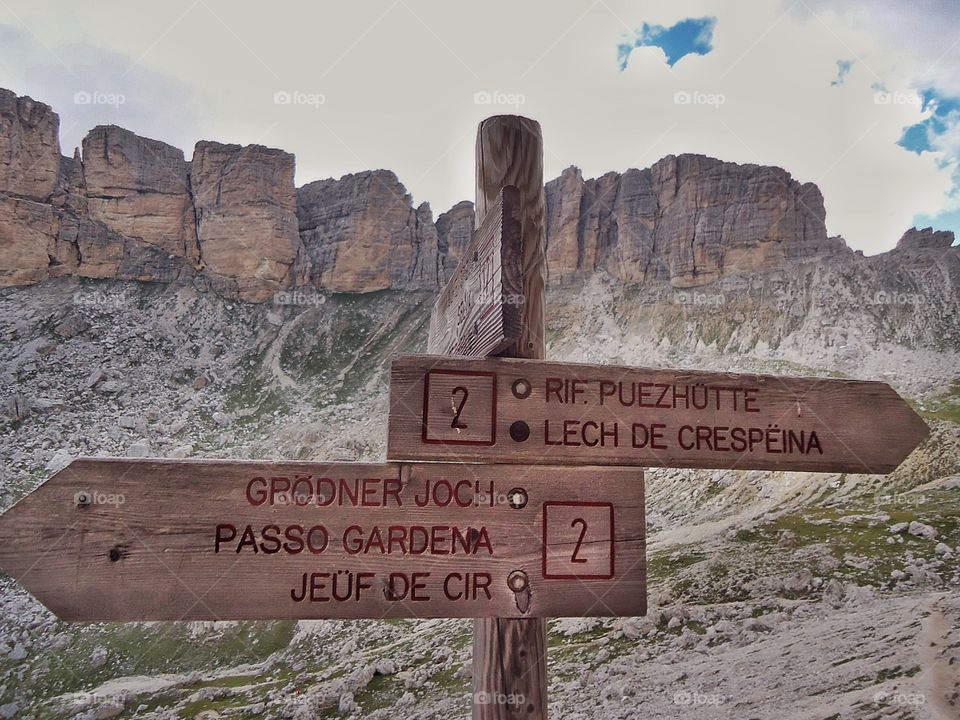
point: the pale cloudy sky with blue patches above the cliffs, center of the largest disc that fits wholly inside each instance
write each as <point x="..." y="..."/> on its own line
<point x="861" y="97"/>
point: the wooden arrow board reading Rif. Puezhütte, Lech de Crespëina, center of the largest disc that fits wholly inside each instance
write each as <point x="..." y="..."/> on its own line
<point x="530" y="411"/>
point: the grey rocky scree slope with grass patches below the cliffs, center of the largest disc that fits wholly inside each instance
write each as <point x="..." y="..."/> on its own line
<point x="746" y="568"/>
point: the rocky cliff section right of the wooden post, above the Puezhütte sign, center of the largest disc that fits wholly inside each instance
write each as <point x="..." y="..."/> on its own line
<point x="688" y="219"/>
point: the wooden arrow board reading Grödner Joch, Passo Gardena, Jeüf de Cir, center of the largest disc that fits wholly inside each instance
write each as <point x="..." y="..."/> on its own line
<point x="123" y="539"/>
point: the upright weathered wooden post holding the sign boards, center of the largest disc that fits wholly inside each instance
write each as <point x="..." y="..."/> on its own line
<point x="510" y="655"/>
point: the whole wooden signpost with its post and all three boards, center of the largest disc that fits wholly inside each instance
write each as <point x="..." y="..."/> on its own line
<point x="508" y="544"/>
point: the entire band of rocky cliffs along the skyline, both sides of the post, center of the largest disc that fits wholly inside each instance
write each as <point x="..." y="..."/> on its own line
<point x="231" y="220"/>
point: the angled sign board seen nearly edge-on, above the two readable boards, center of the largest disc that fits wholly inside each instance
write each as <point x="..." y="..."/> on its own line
<point x="479" y="311"/>
